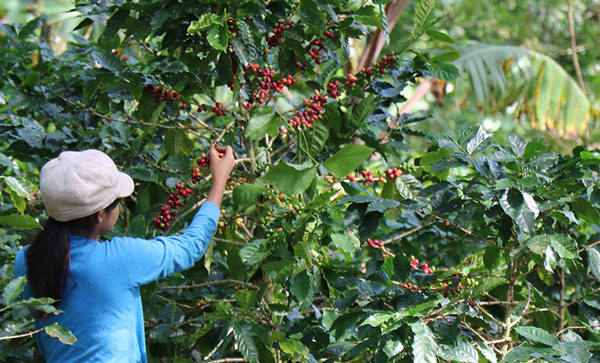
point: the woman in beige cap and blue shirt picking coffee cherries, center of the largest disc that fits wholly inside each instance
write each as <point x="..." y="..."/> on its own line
<point x="98" y="282"/>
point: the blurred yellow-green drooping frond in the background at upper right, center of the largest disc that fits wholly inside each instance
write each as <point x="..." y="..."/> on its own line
<point x="540" y="88"/>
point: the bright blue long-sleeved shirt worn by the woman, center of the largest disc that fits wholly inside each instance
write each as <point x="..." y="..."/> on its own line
<point x="102" y="304"/>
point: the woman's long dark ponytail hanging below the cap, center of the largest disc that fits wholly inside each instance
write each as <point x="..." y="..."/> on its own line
<point x="49" y="255"/>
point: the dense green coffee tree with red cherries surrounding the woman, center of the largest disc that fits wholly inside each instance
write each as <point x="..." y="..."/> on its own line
<point x="337" y="242"/>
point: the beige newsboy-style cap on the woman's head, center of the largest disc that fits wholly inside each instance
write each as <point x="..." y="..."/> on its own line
<point x="78" y="184"/>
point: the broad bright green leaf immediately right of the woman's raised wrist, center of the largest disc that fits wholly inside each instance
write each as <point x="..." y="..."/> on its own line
<point x="291" y="179"/>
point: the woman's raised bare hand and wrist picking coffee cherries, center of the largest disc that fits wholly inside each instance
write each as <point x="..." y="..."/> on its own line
<point x="221" y="164"/>
